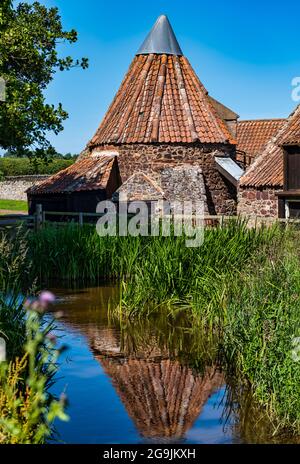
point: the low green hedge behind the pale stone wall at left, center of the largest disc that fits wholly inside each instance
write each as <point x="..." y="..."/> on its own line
<point x="23" y="166"/>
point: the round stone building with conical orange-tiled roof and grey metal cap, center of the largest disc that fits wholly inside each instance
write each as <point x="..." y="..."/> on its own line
<point x="161" y="119"/>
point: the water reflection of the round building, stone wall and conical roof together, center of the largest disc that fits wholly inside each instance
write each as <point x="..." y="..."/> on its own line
<point x="161" y="395"/>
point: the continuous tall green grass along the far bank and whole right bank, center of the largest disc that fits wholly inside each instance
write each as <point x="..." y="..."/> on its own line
<point x="242" y="285"/>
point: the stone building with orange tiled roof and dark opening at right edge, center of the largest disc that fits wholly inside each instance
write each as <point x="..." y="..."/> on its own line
<point x="270" y="187"/>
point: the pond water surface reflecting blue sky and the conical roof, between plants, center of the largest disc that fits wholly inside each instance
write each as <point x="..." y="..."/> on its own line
<point x="144" y="382"/>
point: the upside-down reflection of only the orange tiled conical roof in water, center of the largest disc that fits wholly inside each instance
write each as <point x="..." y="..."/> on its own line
<point x="163" y="398"/>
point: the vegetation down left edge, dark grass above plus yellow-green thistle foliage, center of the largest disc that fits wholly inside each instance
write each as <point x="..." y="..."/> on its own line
<point x="27" y="410"/>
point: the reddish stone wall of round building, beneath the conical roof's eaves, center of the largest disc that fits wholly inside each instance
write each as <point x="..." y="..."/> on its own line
<point x="152" y="159"/>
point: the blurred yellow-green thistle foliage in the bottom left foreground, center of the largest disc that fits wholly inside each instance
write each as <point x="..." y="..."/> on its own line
<point x="27" y="410"/>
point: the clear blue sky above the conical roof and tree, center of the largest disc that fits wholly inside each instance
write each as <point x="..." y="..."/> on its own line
<point x="246" y="53"/>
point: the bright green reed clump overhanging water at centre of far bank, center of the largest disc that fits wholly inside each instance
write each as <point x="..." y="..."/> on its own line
<point x="172" y="274"/>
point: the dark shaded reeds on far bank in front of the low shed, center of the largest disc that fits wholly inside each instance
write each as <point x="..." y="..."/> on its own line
<point x="78" y="254"/>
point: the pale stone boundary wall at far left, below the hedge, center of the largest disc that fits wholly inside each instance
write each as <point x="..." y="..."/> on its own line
<point x="14" y="188"/>
